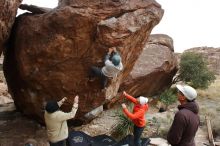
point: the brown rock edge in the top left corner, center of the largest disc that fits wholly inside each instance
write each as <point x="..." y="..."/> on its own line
<point x="8" y="11"/>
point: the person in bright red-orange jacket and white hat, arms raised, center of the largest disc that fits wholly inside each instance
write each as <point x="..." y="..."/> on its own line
<point x="138" y="115"/>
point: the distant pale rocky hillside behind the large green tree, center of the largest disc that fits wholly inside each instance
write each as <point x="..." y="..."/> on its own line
<point x="211" y="54"/>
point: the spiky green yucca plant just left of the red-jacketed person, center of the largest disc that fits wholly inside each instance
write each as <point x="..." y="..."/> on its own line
<point x="123" y="126"/>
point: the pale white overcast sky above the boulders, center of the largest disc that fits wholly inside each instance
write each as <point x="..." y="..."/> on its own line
<point x="190" y="23"/>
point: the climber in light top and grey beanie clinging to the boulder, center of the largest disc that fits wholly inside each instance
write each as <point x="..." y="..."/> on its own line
<point x="111" y="69"/>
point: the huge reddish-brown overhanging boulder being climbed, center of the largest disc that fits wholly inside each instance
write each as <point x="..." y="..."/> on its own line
<point x="51" y="53"/>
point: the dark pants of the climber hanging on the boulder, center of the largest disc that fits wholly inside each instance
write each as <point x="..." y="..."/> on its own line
<point x="97" y="72"/>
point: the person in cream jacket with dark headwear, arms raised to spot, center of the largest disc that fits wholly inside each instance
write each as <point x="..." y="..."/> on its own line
<point x="56" y="121"/>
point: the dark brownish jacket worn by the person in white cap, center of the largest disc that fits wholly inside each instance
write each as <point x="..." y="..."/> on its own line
<point x="185" y="125"/>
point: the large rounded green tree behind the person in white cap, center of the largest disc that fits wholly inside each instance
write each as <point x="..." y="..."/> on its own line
<point x="194" y="71"/>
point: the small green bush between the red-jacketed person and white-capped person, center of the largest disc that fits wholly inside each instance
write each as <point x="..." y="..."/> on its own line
<point x="168" y="97"/>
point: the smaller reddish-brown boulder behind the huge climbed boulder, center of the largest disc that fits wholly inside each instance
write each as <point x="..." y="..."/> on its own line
<point x="154" y="69"/>
